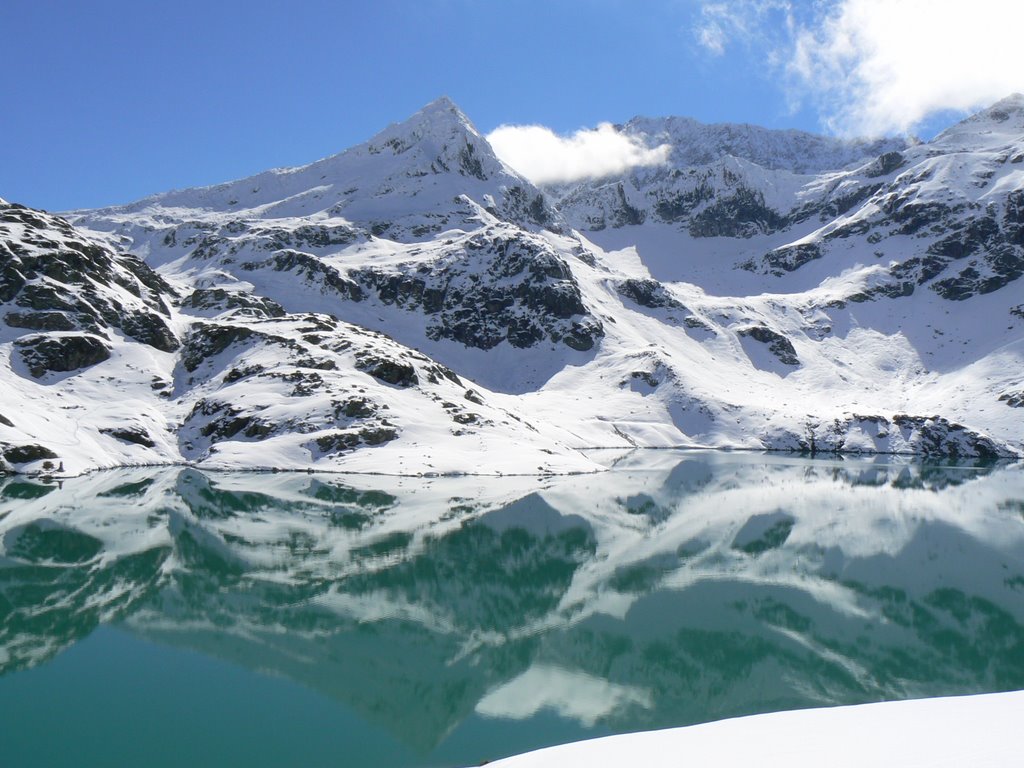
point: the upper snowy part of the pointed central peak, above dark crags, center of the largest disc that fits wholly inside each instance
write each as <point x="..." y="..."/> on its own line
<point x="411" y="170"/>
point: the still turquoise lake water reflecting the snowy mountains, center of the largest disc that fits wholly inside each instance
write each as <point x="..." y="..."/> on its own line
<point x="173" y="617"/>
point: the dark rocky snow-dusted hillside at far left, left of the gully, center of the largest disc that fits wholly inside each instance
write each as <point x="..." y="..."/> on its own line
<point x="88" y="340"/>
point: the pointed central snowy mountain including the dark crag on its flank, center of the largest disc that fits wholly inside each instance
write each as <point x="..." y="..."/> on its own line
<point x="421" y="233"/>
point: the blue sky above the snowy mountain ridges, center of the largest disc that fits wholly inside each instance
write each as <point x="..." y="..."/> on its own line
<point x="106" y="102"/>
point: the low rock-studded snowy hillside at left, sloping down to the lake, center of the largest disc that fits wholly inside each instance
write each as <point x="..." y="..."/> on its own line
<point x="107" y="364"/>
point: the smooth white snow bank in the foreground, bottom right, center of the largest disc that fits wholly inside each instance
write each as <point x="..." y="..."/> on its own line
<point x="979" y="732"/>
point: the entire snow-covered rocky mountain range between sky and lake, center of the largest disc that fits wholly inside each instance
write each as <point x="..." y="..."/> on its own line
<point x="415" y="305"/>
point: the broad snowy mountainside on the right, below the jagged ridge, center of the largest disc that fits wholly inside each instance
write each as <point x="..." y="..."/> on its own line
<point x="885" y="287"/>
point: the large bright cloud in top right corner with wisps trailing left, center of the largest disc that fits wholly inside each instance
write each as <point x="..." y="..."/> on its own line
<point x="876" y="67"/>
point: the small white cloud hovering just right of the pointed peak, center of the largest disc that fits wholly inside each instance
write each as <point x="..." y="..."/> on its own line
<point x="544" y="157"/>
